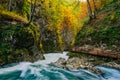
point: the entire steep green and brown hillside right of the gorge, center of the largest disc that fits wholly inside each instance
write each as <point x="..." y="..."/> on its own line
<point x="104" y="31"/>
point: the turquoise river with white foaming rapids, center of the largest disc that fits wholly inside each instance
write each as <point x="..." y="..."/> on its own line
<point x="40" y="70"/>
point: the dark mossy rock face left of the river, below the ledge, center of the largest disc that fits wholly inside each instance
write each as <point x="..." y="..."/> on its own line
<point x="18" y="43"/>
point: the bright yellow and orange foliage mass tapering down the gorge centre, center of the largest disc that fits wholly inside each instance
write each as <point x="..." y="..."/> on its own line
<point x="63" y="19"/>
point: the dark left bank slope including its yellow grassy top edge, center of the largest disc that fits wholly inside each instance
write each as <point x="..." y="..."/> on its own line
<point x="18" y="39"/>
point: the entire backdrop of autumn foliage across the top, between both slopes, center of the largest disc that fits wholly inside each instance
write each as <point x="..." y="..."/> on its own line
<point x="63" y="17"/>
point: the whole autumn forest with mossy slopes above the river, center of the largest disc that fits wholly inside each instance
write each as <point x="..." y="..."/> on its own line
<point x="31" y="28"/>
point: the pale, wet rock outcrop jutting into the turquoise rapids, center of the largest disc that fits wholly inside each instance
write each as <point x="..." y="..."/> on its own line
<point x="75" y="63"/>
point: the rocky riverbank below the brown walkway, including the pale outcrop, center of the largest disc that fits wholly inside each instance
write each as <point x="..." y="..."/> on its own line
<point x="85" y="61"/>
